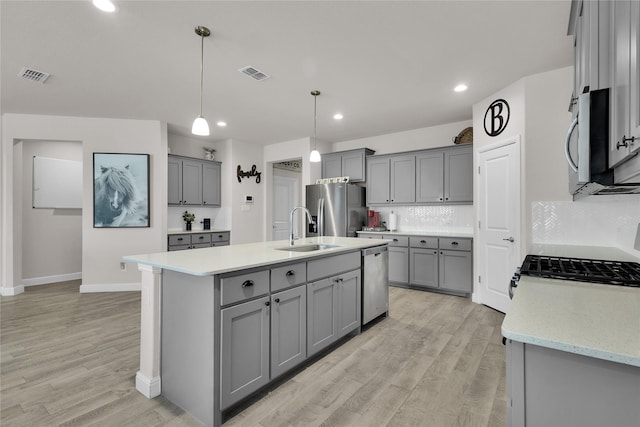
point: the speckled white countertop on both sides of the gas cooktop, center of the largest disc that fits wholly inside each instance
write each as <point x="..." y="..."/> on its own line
<point x="596" y="320"/>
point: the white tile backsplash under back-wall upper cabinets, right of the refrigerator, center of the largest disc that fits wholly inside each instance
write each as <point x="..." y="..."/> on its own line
<point x="417" y="218"/>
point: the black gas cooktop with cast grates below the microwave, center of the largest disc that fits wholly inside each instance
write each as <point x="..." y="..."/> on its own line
<point x="622" y="273"/>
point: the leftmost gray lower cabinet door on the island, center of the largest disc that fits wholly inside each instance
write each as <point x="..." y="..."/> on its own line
<point x="244" y="350"/>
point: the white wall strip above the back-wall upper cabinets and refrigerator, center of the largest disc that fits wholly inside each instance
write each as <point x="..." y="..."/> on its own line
<point x="416" y="139"/>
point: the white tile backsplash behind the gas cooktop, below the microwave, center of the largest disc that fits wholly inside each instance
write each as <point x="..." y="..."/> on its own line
<point x="610" y="220"/>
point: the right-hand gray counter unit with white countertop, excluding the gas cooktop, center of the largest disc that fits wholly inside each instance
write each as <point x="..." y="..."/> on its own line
<point x="573" y="349"/>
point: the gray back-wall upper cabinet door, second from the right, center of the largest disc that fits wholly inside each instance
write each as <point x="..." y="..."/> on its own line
<point x="430" y="177"/>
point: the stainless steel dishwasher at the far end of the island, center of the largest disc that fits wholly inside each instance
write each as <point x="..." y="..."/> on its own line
<point x="375" y="283"/>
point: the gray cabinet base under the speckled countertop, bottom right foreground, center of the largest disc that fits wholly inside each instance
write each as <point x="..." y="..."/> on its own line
<point x="548" y="387"/>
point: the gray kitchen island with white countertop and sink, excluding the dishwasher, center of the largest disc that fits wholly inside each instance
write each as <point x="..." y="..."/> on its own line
<point x="236" y="317"/>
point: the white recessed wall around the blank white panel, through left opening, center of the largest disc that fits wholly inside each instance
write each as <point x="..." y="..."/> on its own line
<point x="51" y="238"/>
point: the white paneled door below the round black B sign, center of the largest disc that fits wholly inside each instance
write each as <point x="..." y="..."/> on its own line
<point x="498" y="236"/>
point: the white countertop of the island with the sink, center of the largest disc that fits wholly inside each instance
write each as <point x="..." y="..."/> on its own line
<point x="224" y="259"/>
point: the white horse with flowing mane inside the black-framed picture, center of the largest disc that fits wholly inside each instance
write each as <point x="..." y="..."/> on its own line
<point x="116" y="196"/>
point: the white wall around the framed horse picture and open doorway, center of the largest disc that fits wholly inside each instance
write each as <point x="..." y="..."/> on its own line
<point x="102" y="248"/>
